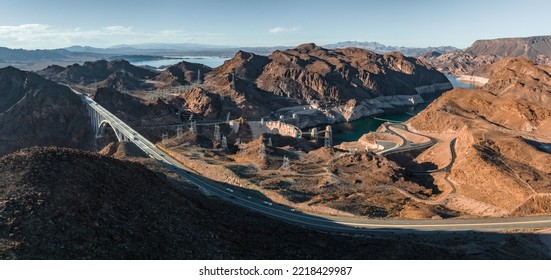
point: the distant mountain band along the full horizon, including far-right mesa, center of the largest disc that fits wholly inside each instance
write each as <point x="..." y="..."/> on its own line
<point x="534" y="48"/>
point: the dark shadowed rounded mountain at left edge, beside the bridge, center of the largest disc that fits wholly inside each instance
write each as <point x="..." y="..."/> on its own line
<point x="38" y="112"/>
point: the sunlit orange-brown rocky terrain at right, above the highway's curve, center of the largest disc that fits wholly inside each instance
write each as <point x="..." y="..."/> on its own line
<point x="498" y="136"/>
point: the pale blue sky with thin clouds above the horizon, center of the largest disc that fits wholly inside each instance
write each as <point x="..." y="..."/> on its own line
<point x="32" y="24"/>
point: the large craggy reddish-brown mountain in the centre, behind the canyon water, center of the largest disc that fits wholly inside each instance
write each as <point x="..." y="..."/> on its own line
<point x="311" y="75"/>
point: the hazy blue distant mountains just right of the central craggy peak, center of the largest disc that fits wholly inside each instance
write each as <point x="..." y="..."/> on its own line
<point x="380" y="48"/>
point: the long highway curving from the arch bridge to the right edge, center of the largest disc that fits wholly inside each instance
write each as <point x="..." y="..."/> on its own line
<point x="322" y="222"/>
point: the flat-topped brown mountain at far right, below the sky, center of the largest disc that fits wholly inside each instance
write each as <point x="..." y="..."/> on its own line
<point x="484" y="52"/>
